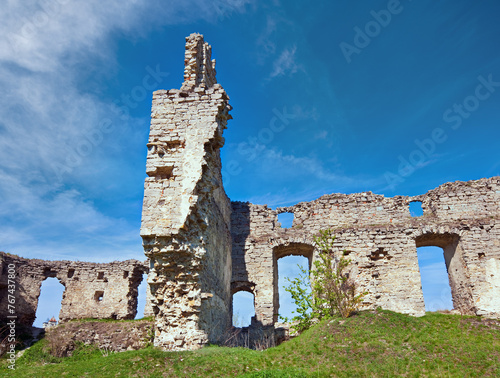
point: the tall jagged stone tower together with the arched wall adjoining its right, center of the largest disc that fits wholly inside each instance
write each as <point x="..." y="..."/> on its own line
<point x="203" y="248"/>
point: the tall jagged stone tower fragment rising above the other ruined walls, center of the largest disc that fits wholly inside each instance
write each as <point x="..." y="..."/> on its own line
<point x="186" y="213"/>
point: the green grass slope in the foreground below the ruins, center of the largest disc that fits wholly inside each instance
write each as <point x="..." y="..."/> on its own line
<point x="381" y="344"/>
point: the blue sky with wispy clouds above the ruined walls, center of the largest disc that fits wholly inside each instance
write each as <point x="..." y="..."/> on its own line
<point x="332" y="96"/>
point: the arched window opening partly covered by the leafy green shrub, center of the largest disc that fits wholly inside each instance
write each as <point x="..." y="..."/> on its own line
<point x="288" y="267"/>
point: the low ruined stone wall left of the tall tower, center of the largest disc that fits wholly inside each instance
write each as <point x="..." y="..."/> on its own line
<point x="92" y="290"/>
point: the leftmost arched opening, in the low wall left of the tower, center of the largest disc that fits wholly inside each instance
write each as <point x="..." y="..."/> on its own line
<point x="49" y="302"/>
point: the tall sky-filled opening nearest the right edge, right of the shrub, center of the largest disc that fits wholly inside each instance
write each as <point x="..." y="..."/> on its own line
<point x="435" y="280"/>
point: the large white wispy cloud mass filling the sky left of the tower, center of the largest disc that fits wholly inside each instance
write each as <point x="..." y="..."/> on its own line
<point x="49" y="173"/>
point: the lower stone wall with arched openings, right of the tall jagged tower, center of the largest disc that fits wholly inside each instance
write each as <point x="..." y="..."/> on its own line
<point x="380" y="237"/>
